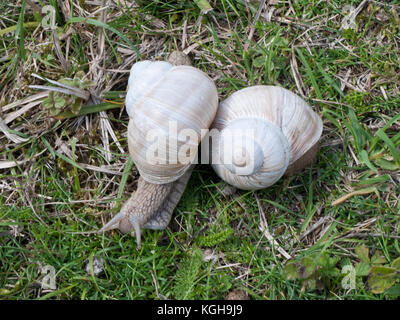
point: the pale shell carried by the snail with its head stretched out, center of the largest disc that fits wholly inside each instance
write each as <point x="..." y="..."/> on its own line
<point x="162" y="101"/>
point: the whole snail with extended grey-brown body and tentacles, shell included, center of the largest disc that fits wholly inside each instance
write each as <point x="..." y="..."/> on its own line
<point x="168" y="102"/>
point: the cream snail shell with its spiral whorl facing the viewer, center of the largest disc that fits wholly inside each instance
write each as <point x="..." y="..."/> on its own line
<point x="263" y="131"/>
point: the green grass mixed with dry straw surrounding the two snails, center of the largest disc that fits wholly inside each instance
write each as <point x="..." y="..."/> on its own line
<point x="61" y="179"/>
